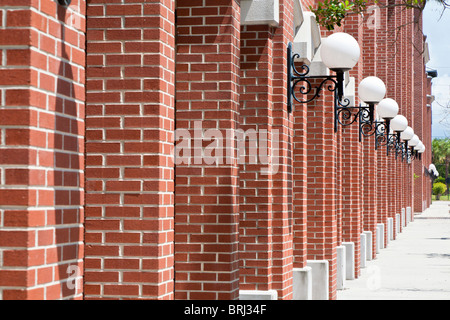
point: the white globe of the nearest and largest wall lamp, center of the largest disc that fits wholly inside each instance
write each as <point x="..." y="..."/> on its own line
<point x="340" y="51"/>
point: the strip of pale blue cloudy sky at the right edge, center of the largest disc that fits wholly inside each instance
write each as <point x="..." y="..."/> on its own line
<point x="437" y="30"/>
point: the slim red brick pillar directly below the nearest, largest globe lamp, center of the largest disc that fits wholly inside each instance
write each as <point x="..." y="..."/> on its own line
<point x="321" y="209"/>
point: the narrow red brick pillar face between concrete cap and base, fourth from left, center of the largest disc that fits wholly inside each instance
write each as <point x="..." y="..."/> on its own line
<point x="255" y="174"/>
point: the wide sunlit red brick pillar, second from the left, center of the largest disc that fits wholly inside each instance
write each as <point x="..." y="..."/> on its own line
<point x="129" y="139"/>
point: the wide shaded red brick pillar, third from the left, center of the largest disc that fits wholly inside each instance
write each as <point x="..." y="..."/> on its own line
<point x="207" y="198"/>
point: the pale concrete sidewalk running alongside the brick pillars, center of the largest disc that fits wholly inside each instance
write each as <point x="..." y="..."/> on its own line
<point x="415" y="266"/>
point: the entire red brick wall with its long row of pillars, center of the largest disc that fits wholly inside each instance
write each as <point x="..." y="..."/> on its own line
<point x="153" y="229"/>
